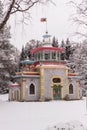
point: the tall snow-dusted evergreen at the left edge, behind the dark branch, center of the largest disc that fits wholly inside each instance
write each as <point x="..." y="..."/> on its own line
<point x="8" y="53"/>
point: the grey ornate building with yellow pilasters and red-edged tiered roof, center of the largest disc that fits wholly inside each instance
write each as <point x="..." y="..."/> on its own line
<point x="46" y="77"/>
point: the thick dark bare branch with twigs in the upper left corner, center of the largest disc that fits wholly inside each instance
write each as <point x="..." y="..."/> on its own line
<point x="16" y="6"/>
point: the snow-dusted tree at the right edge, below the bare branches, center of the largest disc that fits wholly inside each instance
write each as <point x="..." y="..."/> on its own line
<point x="80" y="60"/>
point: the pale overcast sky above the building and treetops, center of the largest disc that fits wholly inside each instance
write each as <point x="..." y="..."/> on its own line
<point x="58" y="23"/>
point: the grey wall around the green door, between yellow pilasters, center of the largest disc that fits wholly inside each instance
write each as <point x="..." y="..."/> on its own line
<point x="48" y="76"/>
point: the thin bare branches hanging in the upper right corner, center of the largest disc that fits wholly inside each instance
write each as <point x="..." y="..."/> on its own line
<point x="80" y="17"/>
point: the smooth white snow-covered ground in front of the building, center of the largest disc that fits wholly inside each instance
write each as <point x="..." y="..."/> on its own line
<point x="41" y="115"/>
